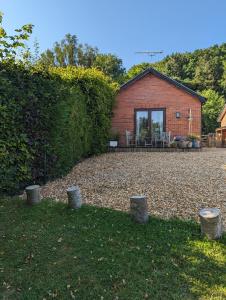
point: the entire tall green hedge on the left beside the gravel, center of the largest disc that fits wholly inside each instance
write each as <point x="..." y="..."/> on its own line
<point x="49" y="120"/>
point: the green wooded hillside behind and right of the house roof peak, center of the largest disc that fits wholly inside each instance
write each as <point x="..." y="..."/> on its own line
<point x="200" y="70"/>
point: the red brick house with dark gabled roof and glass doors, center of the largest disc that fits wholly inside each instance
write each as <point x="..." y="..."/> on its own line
<point x="153" y="103"/>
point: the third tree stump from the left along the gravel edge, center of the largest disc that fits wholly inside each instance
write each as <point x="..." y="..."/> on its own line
<point x="139" y="209"/>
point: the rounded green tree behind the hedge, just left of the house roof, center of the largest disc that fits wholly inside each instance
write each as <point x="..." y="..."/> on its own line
<point x="110" y="65"/>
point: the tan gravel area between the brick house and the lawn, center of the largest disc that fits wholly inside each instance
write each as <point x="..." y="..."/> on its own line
<point x="176" y="184"/>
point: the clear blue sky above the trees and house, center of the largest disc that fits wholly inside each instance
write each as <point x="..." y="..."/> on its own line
<point x="123" y="27"/>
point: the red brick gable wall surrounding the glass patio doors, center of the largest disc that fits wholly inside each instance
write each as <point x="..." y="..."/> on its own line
<point x="153" y="92"/>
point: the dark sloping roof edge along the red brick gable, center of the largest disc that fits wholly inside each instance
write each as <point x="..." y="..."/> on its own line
<point x="164" y="77"/>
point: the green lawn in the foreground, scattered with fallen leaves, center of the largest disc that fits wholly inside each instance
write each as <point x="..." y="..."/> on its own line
<point x="49" y="251"/>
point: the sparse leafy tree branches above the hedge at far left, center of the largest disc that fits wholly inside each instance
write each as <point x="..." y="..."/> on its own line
<point x="10" y="44"/>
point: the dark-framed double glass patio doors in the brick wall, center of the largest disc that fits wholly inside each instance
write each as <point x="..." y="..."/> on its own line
<point x="149" y="125"/>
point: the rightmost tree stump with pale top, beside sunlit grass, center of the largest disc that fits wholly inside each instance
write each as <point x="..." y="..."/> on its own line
<point x="211" y="222"/>
